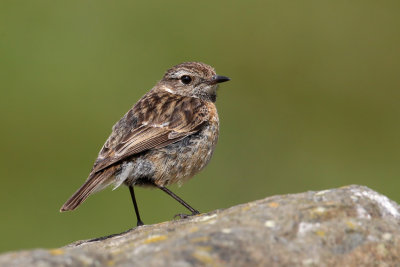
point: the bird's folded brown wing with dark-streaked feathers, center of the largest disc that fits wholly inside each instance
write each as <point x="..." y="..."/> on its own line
<point x="157" y="120"/>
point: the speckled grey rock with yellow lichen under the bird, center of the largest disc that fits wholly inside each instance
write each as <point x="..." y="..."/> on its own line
<point x="348" y="226"/>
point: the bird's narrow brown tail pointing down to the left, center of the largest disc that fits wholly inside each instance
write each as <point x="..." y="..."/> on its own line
<point x="95" y="183"/>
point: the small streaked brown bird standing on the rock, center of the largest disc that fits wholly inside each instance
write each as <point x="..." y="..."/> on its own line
<point x="167" y="137"/>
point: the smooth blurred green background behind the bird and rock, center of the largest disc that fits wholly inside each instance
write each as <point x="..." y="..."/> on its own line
<point x="313" y="103"/>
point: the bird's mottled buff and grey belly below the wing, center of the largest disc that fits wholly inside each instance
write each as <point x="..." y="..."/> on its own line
<point x="171" y="164"/>
